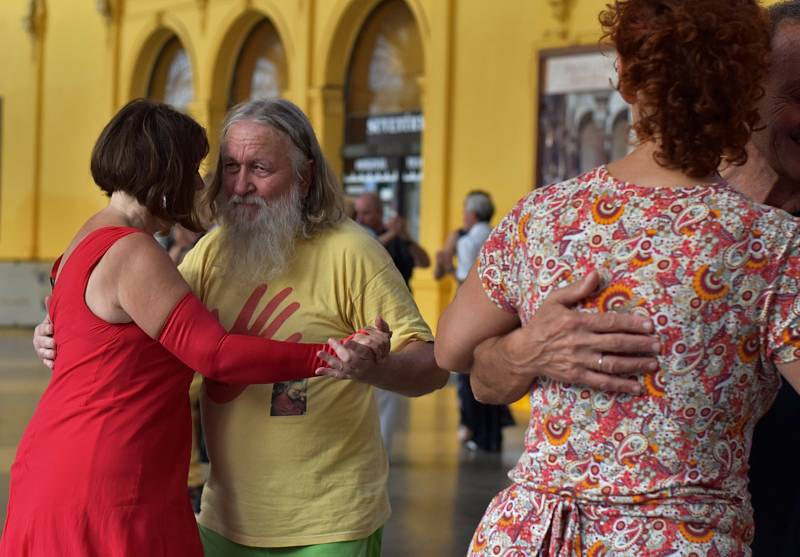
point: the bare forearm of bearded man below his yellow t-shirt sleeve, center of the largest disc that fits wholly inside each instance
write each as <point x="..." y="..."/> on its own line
<point x="411" y="371"/>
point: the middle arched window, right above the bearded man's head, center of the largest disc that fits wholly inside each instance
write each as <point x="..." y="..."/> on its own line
<point x="261" y="69"/>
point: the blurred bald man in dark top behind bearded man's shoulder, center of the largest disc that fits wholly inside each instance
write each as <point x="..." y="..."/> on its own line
<point x="406" y="255"/>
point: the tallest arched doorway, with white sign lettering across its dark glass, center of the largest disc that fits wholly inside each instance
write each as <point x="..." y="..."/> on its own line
<point x="383" y="103"/>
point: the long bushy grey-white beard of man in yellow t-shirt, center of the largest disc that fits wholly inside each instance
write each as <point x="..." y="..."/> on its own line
<point x="259" y="247"/>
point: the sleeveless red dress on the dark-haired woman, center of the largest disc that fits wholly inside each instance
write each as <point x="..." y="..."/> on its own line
<point x="102" y="467"/>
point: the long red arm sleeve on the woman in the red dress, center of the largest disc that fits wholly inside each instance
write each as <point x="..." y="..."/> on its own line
<point x="194" y="336"/>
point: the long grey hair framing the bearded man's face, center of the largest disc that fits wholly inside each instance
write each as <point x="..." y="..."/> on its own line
<point x="323" y="206"/>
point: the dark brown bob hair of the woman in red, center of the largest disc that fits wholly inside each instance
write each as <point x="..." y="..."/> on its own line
<point x="151" y="152"/>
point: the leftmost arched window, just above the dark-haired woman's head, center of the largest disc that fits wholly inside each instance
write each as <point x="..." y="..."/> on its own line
<point x="171" y="78"/>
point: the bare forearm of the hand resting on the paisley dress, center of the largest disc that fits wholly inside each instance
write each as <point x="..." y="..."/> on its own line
<point x="491" y="375"/>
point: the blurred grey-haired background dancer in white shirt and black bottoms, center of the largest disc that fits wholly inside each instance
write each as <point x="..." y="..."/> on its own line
<point x="481" y="425"/>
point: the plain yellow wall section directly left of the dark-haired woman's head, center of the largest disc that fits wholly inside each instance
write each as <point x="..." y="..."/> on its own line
<point x="76" y="105"/>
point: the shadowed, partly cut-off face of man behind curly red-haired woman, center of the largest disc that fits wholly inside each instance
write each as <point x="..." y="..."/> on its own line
<point x="779" y="141"/>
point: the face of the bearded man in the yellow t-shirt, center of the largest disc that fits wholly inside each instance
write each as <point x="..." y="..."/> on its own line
<point x="256" y="163"/>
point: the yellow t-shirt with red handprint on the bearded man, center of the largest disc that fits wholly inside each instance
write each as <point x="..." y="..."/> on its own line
<point x="302" y="463"/>
